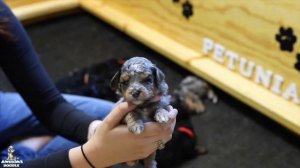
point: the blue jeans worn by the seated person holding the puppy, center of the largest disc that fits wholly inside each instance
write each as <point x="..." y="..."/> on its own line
<point x="17" y="119"/>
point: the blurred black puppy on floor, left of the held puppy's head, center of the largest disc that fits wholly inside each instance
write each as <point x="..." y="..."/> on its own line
<point x="92" y="81"/>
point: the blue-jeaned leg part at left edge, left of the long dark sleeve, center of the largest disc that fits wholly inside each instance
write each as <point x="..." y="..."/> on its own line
<point x="17" y="119"/>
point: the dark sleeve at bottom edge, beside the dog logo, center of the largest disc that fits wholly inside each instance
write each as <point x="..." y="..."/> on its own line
<point x="55" y="160"/>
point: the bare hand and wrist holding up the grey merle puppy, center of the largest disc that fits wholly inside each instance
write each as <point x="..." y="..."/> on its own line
<point x="112" y="143"/>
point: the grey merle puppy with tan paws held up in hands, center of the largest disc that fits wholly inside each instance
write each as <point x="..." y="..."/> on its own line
<point x="141" y="83"/>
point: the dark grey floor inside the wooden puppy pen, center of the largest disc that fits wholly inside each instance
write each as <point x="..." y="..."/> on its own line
<point x="236" y="135"/>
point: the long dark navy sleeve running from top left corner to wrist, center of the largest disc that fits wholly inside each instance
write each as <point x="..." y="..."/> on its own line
<point x="22" y="66"/>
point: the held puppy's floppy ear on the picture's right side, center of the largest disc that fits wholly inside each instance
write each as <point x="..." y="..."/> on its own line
<point x="159" y="80"/>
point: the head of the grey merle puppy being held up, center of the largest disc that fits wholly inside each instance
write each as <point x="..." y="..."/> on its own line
<point x="139" y="81"/>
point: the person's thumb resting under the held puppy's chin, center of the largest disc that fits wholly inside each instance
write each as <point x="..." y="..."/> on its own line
<point x="117" y="114"/>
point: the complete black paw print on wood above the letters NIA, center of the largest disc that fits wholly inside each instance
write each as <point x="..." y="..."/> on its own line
<point x="286" y="38"/>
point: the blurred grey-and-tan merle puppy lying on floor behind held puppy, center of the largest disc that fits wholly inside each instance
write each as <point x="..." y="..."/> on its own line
<point x="191" y="92"/>
